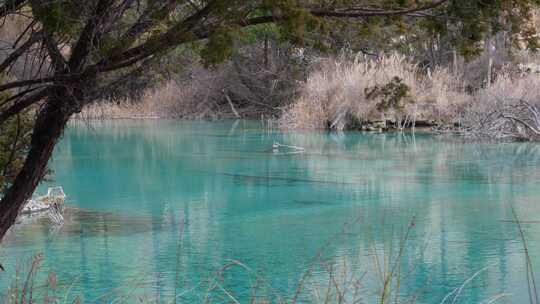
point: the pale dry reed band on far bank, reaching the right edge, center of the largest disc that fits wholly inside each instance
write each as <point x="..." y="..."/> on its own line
<point x="335" y="93"/>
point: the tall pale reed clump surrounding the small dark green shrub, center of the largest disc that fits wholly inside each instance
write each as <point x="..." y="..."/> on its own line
<point x="338" y="89"/>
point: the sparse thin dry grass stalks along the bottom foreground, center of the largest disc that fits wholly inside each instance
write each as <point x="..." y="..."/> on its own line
<point x="325" y="280"/>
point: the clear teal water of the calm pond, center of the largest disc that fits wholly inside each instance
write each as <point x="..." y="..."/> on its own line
<point x="157" y="208"/>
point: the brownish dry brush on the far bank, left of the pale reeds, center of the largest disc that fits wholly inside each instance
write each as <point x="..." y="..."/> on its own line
<point x="205" y="97"/>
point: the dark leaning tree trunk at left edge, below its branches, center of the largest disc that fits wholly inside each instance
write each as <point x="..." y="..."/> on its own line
<point x="49" y="126"/>
